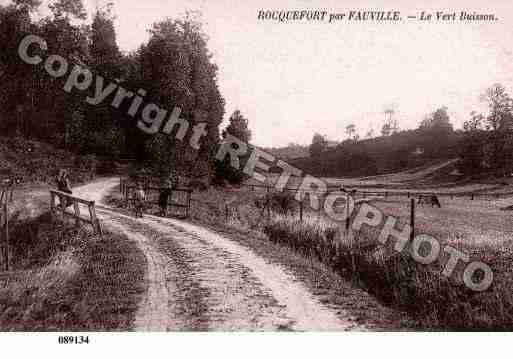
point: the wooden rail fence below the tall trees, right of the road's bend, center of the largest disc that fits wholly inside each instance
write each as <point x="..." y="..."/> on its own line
<point x="128" y="189"/>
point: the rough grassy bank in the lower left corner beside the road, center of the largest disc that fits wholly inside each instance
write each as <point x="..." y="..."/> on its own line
<point x="64" y="278"/>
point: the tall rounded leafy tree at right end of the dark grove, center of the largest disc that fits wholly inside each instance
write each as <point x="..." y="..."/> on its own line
<point x="175" y="68"/>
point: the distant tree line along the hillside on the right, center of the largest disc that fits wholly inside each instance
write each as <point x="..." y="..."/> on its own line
<point x="484" y="145"/>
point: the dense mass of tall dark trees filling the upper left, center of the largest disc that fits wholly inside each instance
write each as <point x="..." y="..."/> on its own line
<point x="174" y="67"/>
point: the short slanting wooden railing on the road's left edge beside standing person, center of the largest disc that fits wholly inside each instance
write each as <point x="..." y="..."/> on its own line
<point x="67" y="200"/>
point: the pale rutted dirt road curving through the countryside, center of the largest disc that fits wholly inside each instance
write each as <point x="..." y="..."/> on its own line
<point x="199" y="280"/>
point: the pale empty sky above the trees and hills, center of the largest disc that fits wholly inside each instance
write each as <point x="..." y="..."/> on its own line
<point x="292" y="80"/>
